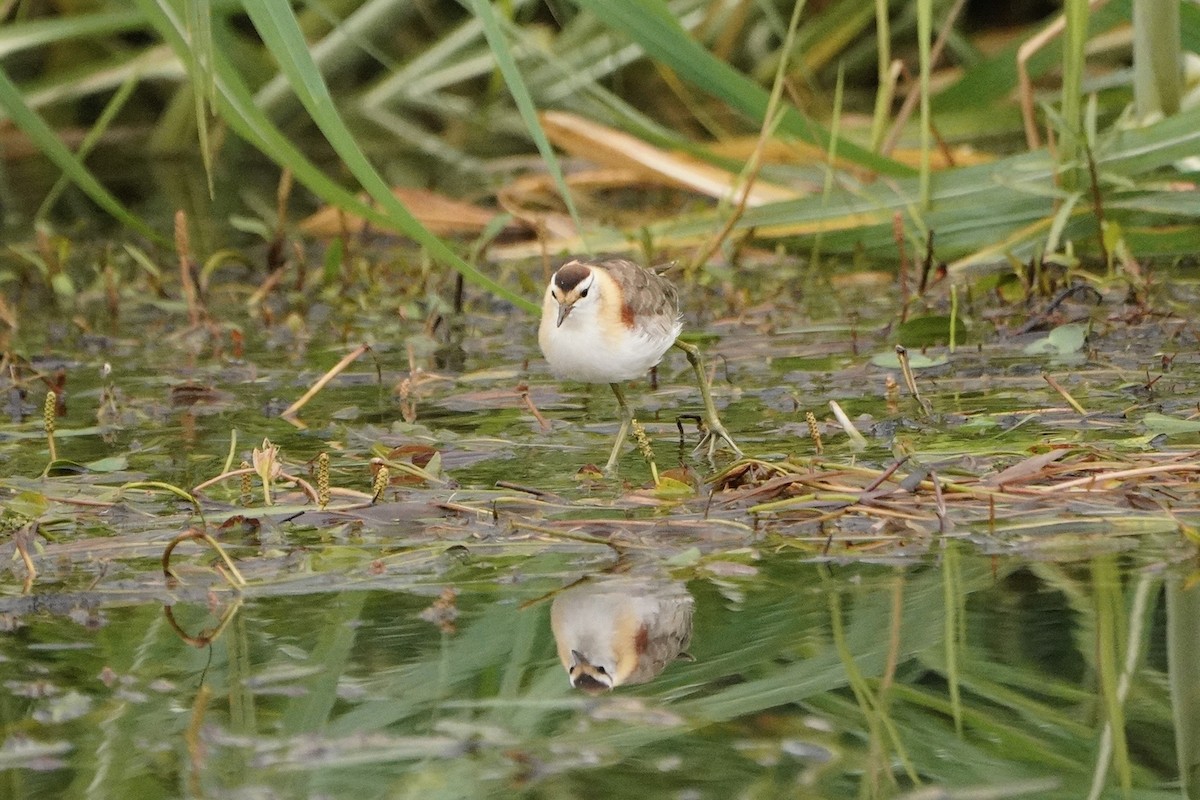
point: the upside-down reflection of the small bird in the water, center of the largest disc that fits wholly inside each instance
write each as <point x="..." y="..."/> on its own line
<point x="619" y="630"/>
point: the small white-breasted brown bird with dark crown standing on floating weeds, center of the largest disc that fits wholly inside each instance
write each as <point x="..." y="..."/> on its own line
<point x="609" y="321"/>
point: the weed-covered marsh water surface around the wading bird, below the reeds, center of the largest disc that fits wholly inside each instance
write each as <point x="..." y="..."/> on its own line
<point x="991" y="596"/>
